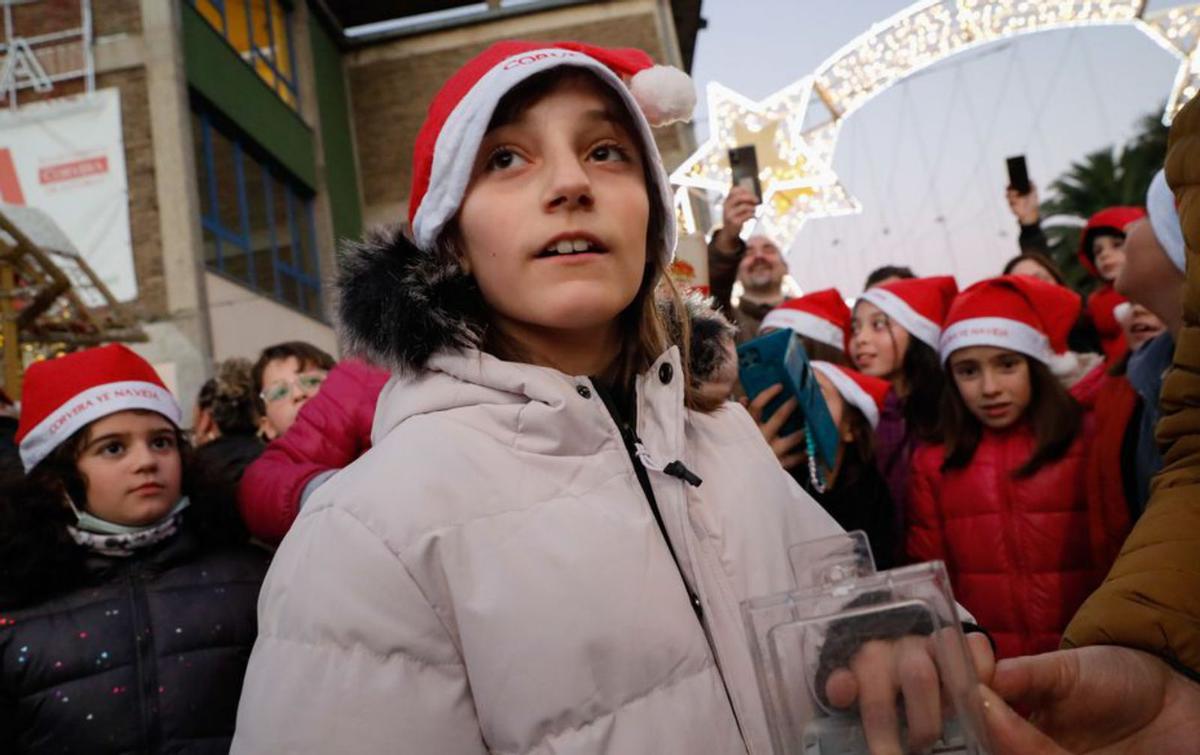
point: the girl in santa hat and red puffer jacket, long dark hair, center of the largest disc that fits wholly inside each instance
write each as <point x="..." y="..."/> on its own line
<point x="1003" y="500"/>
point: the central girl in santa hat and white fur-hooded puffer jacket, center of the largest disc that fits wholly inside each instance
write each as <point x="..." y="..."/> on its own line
<point x="548" y="544"/>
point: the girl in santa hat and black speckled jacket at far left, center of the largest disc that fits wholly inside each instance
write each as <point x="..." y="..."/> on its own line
<point x="127" y="598"/>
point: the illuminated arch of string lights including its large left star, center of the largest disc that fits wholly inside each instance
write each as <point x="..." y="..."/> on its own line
<point x="796" y="163"/>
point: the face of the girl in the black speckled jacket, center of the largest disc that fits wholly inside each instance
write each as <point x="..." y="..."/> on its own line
<point x="131" y="468"/>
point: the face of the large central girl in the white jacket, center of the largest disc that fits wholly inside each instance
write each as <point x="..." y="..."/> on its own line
<point x="555" y="219"/>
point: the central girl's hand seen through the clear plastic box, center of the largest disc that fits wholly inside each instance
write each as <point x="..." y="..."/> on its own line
<point x="884" y="669"/>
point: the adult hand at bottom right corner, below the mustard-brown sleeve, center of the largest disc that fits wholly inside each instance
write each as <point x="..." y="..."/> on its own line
<point x="1103" y="699"/>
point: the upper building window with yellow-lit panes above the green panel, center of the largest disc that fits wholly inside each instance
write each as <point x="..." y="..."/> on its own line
<point x="262" y="34"/>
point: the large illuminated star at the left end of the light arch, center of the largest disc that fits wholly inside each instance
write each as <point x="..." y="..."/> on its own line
<point x="796" y="176"/>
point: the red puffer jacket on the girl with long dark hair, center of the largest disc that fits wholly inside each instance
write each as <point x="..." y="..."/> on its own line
<point x="1018" y="550"/>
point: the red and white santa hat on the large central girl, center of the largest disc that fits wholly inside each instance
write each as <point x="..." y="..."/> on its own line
<point x="458" y="119"/>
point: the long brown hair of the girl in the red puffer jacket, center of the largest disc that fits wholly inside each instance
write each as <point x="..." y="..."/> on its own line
<point x="1053" y="414"/>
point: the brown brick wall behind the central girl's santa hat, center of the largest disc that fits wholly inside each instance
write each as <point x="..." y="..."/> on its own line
<point x="391" y="97"/>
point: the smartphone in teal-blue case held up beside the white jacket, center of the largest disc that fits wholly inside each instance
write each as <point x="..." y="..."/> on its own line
<point x="779" y="358"/>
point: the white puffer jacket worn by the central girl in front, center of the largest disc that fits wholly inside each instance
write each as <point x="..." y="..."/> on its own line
<point x="490" y="577"/>
